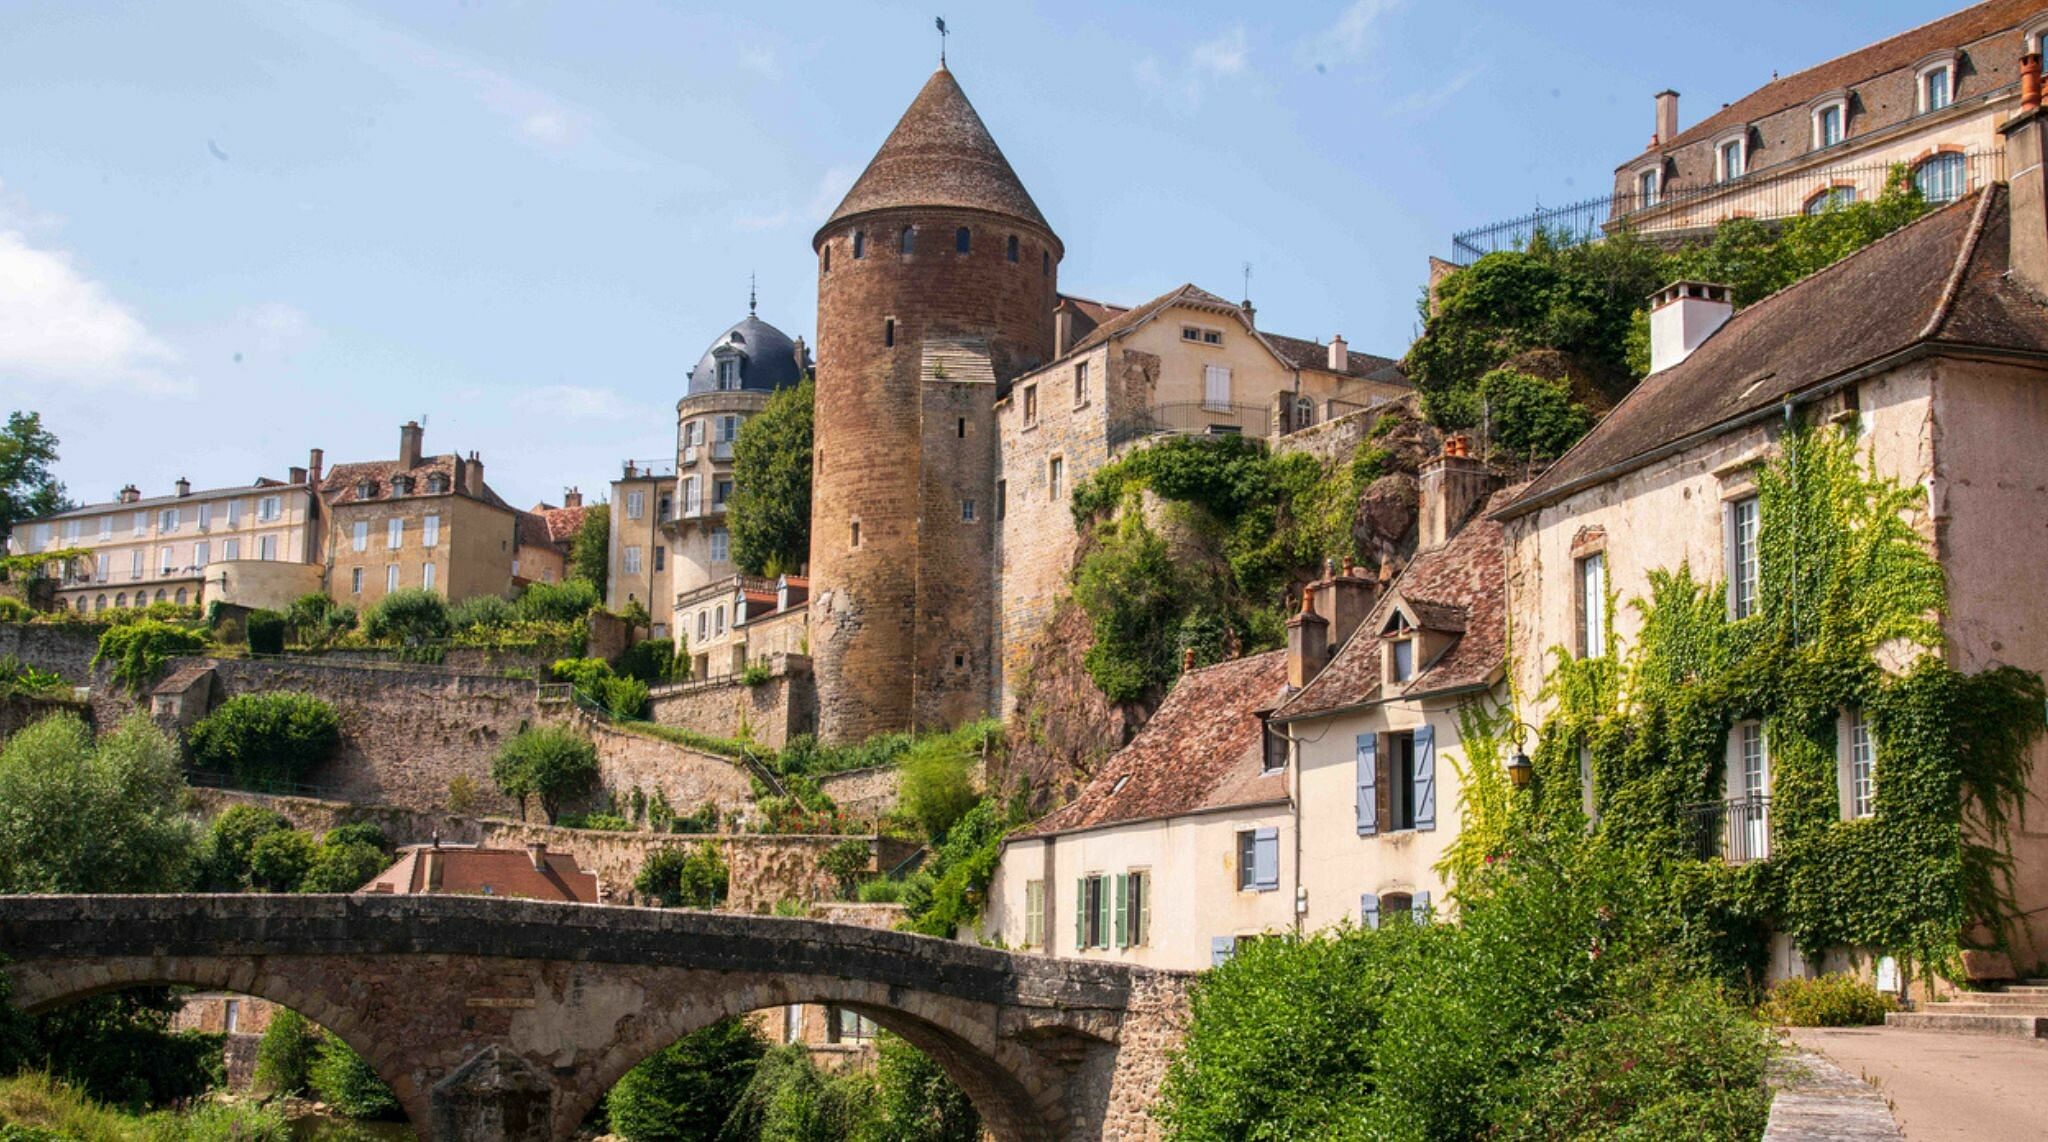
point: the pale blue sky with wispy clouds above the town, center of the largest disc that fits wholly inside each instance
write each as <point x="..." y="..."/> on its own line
<point x="239" y="230"/>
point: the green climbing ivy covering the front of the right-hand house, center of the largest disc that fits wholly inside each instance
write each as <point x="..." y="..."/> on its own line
<point x="1848" y="586"/>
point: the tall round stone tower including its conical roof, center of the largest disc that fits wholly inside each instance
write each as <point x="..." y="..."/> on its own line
<point x="937" y="281"/>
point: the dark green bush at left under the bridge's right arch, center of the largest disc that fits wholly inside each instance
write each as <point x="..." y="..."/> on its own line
<point x="687" y="1090"/>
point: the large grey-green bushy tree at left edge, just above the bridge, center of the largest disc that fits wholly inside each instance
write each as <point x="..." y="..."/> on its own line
<point x="93" y="818"/>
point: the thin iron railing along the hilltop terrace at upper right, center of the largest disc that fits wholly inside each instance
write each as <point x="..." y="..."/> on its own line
<point x="1773" y="193"/>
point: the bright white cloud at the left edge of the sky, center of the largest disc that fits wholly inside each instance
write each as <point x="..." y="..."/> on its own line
<point x="60" y="326"/>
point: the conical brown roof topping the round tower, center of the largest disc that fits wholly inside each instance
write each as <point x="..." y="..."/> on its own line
<point x="941" y="155"/>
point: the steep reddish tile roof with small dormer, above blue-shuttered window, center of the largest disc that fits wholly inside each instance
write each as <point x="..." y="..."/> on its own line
<point x="1457" y="588"/>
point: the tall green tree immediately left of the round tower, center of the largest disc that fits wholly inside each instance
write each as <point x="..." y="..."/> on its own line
<point x="771" y="507"/>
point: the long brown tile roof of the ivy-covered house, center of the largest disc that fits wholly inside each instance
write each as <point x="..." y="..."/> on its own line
<point x="1938" y="281"/>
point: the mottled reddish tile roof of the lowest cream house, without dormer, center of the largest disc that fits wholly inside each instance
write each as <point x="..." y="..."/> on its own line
<point x="1203" y="750"/>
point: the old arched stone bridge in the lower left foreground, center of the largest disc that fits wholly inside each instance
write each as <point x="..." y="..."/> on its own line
<point x="509" y="1020"/>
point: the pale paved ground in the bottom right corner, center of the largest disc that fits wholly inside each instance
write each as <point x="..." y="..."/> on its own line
<point x="1945" y="1086"/>
